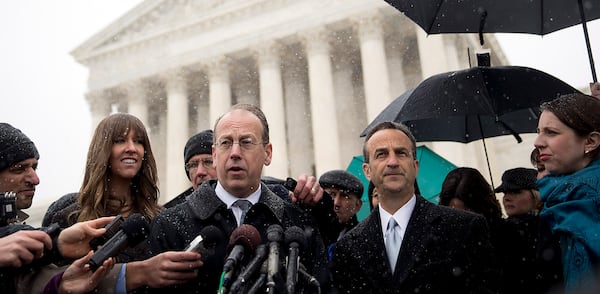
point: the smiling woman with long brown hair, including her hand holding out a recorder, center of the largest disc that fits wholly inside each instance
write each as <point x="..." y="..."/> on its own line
<point x="121" y="179"/>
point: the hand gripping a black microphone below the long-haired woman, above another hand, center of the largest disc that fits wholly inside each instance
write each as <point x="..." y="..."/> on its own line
<point x="74" y="241"/>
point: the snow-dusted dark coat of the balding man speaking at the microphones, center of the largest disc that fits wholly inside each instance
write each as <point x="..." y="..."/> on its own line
<point x="176" y="227"/>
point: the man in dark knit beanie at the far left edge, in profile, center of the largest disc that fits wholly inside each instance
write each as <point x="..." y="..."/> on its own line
<point x="18" y="164"/>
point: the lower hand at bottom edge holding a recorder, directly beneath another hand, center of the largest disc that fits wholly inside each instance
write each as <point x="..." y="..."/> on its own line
<point x="79" y="278"/>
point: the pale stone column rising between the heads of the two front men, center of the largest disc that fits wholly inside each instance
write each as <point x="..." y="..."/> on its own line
<point x="323" y="108"/>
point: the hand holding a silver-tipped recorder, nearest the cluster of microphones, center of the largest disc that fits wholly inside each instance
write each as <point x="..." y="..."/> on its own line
<point x="166" y="269"/>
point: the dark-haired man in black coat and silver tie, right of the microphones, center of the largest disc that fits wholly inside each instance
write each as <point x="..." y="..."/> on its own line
<point x="407" y="244"/>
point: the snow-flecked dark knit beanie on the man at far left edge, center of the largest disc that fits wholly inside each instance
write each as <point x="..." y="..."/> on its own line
<point x="14" y="146"/>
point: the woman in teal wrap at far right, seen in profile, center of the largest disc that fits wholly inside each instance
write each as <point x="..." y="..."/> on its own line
<point x="568" y="140"/>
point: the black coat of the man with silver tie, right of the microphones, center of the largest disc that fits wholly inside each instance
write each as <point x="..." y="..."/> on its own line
<point x="444" y="250"/>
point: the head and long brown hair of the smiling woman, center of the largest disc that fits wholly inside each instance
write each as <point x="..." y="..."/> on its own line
<point x="120" y="175"/>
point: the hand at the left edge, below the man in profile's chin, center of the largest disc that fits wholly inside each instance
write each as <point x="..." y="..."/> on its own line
<point x="22" y="247"/>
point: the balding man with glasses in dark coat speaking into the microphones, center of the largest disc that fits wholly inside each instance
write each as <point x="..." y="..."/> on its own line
<point x="241" y="149"/>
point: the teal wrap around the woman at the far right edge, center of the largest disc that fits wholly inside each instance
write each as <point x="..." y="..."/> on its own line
<point x="572" y="210"/>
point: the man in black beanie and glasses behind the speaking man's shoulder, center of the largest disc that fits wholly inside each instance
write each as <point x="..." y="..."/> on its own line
<point x="197" y="156"/>
